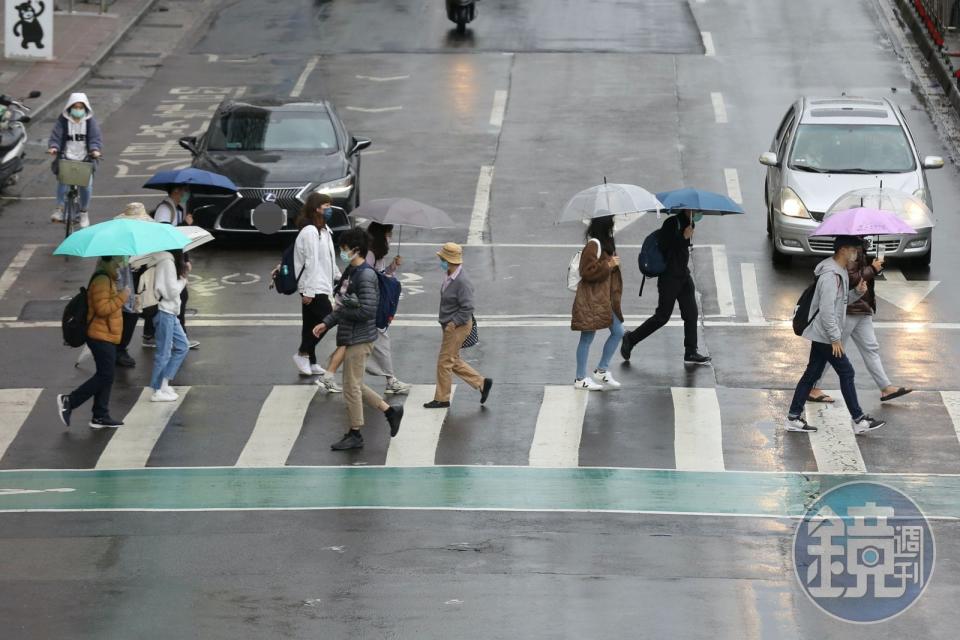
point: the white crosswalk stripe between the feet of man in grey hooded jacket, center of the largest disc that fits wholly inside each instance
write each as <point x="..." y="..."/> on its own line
<point x="834" y="444"/>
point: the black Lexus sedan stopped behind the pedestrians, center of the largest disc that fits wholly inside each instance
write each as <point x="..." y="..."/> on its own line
<point x="275" y="151"/>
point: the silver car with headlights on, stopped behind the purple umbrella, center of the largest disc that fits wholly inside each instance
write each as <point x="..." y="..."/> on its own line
<point x="826" y="147"/>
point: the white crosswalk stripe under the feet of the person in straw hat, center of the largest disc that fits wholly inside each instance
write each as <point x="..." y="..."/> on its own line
<point x="416" y="443"/>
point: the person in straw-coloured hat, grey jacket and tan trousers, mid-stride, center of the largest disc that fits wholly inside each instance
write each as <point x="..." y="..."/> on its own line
<point x="456" y="318"/>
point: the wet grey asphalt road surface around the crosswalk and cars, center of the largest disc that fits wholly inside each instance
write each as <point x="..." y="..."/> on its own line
<point x="622" y="91"/>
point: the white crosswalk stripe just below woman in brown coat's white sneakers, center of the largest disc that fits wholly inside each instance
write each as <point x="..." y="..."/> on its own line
<point x="556" y="437"/>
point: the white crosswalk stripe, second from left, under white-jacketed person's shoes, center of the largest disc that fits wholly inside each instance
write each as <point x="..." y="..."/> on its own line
<point x="131" y="445"/>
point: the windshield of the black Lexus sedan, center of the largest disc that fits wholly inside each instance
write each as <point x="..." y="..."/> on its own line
<point x="265" y="130"/>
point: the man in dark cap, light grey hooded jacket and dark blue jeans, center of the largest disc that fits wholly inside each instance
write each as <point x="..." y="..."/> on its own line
<point x="828" y="312"/>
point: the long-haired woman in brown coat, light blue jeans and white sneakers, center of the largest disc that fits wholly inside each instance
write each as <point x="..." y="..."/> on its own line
<point x="597" y="303"/>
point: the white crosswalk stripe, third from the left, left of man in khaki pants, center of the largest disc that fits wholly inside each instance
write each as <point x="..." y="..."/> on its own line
<point x="278" y="426"/>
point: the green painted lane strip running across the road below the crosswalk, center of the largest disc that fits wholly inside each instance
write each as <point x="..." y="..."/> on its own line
<point x="464" y="488"/>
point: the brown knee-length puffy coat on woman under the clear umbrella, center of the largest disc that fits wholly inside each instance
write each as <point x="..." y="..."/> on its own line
<point x="599" y="292"/>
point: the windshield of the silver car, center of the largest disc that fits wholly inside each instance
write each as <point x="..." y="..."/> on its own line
<point x="842" y="148"/>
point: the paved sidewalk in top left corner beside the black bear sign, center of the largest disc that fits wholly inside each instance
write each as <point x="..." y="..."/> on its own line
<point x="81" y="41"/>
